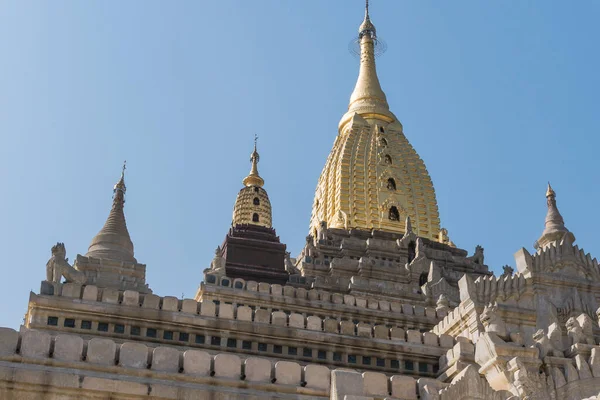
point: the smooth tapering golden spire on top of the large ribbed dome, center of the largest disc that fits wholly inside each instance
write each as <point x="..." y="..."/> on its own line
<point x="368" y="99"/>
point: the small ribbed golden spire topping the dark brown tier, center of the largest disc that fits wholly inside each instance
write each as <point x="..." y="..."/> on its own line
<point x="252" y="205"/>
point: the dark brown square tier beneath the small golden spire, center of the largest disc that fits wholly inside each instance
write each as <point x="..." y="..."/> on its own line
<point x="254" y="252"/>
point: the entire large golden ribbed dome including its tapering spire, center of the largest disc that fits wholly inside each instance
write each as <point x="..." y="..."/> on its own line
<point x="373" y="178"/>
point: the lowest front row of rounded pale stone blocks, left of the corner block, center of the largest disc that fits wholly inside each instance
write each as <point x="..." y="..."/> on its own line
<point x="191" y="365"/>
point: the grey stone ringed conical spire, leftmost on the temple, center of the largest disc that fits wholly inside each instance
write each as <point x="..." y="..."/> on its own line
<point x="113" y="241"/>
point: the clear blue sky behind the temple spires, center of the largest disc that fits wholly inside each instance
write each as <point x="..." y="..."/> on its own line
<point x="496" y="97"/>
